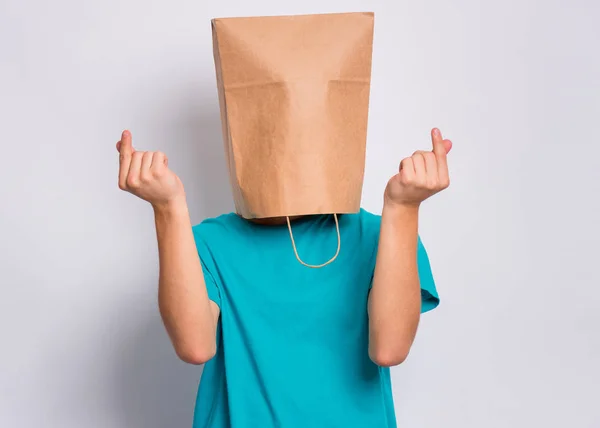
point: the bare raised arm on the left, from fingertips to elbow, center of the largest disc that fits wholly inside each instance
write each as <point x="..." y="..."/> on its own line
<point x="189" y="316"/>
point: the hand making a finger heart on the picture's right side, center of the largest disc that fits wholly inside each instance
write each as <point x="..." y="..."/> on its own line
<point x="422" y="175"/>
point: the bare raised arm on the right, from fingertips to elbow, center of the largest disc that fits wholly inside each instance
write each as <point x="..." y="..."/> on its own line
<point x="395" y="298"/>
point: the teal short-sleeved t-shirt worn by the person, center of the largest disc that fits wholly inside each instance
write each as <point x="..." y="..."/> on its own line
<point x="292" y="342"/>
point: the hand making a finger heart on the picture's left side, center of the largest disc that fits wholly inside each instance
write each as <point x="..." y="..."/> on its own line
<point x="146" y="175"/>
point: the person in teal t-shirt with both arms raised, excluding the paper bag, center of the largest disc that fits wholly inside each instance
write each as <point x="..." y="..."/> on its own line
<point x="285" y="345"/>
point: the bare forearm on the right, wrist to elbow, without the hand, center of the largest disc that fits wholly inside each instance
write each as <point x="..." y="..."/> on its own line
<point x="395" y="298"/>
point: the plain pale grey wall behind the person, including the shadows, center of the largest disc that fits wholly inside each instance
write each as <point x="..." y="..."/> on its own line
<point x="513" y="242"/>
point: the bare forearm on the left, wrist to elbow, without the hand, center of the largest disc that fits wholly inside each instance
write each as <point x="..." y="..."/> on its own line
<point x="183" y="301"/>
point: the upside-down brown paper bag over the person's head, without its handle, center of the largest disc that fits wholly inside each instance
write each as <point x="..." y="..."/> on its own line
<point x="294" y="97"/>
